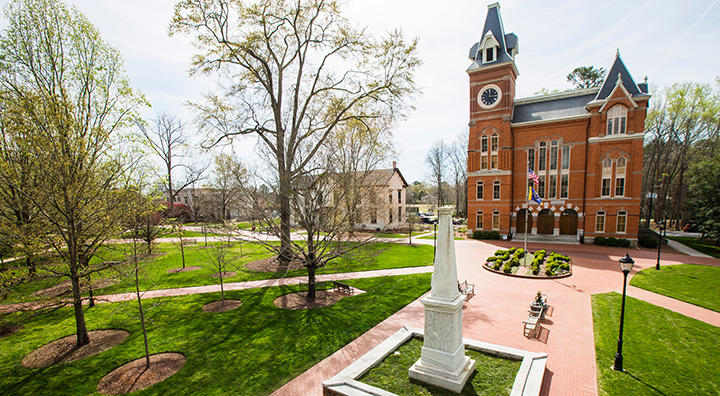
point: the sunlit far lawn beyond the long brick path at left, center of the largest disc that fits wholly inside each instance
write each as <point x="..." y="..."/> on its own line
<point x="389" y="255"/>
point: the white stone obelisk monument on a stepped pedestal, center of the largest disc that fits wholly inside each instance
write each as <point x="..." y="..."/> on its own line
<point x="443" y="362"/>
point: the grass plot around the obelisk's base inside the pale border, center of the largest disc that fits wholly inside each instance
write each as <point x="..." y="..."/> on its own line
<point x="493" y="375"/>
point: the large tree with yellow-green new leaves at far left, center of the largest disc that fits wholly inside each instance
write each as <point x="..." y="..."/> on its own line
<point x="70" y="96"/>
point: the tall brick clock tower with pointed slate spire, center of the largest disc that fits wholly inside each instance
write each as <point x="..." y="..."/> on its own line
<point x="490" y="144"/>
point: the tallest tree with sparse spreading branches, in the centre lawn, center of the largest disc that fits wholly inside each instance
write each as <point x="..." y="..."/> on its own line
<point x="297" y="70"/>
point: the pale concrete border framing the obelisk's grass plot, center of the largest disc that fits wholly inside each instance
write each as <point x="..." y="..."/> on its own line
<point x="528" y="380"/>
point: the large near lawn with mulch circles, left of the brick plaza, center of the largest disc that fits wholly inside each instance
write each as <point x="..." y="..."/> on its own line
<point x="252" y="350"/>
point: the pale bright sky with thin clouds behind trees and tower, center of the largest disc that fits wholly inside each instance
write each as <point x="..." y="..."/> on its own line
<point x="668" y="41"/>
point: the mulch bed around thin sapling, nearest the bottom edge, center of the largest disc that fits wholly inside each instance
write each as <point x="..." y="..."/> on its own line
<point x="135" y="376"/>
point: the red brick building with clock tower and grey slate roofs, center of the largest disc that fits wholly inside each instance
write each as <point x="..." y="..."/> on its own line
<point x="586" y="146"/>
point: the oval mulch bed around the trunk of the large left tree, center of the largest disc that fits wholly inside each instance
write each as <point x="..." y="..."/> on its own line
<point x="64" y="350"/>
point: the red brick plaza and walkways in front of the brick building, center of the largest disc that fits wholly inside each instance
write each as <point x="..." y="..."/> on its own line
<point x="496" y="312"/>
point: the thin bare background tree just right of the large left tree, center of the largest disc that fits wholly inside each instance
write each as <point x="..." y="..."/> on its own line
<point x="168" y="140"/>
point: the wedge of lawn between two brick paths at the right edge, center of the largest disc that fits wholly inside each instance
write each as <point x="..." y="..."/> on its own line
<point x="694" y="284"/>
